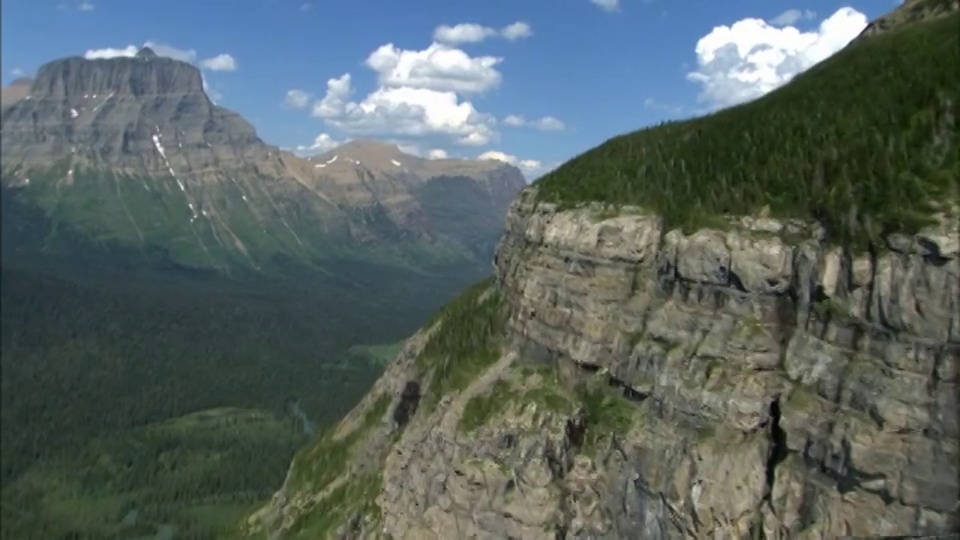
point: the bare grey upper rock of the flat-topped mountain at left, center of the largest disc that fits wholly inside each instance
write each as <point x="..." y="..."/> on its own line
<point x="119" y="113"/>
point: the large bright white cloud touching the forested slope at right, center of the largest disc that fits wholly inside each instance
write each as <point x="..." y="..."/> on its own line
<point x="743" y="61"/>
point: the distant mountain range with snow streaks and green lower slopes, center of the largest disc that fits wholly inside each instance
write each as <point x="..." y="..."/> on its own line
<point x="131" y="152"/>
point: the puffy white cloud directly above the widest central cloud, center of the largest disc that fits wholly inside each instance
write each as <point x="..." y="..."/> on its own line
<point x="438" y="67"/>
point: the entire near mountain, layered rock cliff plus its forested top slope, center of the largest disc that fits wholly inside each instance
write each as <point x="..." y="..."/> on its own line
<point x="684" y="367"/>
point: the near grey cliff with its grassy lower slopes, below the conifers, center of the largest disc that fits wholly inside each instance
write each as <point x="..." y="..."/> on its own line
<point x="652" y="384"/>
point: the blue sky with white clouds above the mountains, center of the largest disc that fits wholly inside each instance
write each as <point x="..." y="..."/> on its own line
<point x="531" y="81"/>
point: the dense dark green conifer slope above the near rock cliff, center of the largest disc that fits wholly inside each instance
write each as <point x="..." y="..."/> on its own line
<point x="863" y="142"/>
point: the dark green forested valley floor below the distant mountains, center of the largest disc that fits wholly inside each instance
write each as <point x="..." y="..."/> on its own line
<point x="140" y="399"/>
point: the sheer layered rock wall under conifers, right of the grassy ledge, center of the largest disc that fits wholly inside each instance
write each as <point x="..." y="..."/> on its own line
<point x="781" y="379"/>
